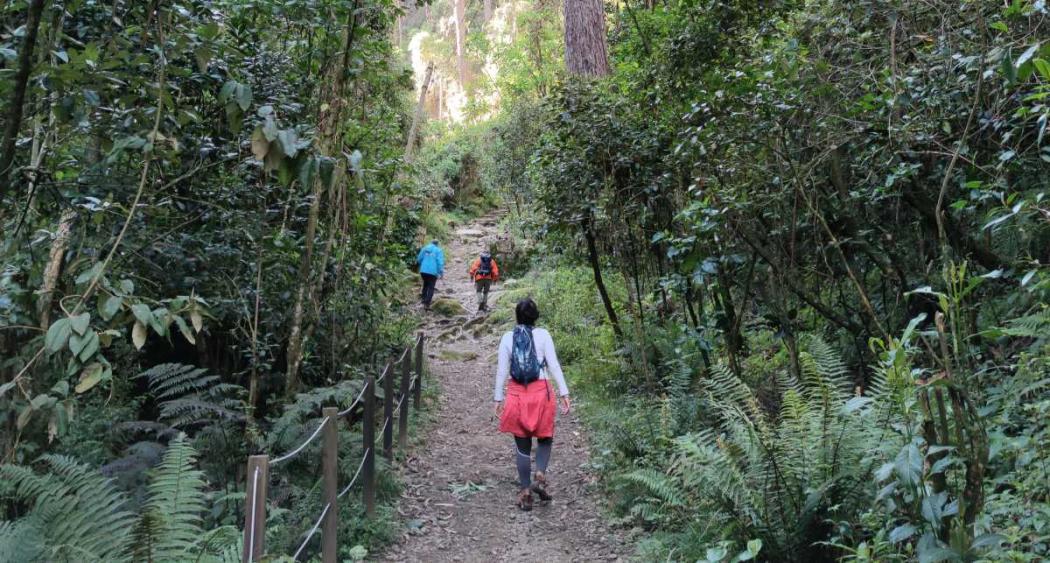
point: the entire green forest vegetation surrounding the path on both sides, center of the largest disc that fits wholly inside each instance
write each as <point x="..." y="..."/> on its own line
<point x="794" y="255"/>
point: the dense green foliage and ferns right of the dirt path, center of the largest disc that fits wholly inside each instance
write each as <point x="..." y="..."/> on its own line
<point x="758" y="179"/>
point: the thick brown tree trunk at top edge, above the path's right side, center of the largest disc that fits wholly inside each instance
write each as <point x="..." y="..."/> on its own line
<point x="586" y="54"/>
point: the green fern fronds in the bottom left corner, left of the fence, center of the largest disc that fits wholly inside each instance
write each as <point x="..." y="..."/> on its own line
<point x="77" y="515"/>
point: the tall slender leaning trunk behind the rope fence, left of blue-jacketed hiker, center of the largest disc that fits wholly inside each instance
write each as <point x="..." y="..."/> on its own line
<point x="332" y="102"/>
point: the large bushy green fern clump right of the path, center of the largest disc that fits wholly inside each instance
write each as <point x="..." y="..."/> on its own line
<point x="784" y="476"/>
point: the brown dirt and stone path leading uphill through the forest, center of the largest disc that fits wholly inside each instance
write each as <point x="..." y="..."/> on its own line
<point x="461" y="486"/>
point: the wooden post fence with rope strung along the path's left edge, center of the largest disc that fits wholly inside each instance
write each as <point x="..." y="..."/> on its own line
<point x="411" y="365"/>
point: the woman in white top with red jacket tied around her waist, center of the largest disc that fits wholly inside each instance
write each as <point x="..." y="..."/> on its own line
<point x="528" y="356"/>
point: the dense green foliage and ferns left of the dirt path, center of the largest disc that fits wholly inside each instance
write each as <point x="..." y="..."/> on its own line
<point x="205" y="193"/>
